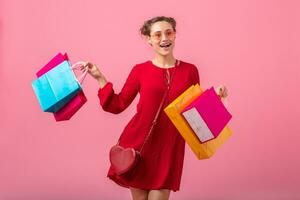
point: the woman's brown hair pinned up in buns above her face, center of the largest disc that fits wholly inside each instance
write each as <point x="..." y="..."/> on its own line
<point x="146" y="28"/>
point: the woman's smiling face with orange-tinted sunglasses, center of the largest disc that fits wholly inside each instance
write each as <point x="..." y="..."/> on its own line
<point x="162" y="38"/>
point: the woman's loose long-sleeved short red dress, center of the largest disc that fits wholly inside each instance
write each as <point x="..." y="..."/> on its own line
<point x="163" y="154"/>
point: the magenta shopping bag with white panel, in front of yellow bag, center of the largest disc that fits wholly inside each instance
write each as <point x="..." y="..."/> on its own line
<point x="207" y="115"/>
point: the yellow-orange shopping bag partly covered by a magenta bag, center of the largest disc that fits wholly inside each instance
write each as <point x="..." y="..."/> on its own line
<point x="173" y="111"/>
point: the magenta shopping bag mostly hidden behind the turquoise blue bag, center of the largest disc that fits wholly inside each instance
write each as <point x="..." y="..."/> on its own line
<point x="67" y="111"/>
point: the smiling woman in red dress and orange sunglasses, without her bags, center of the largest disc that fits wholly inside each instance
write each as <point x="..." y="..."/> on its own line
<point x="160" y="168"/>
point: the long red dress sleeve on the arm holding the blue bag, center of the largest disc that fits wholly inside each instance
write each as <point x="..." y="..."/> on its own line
<point x="116" y="103"/>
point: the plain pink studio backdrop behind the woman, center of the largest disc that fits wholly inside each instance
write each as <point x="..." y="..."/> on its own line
<point x="251" y="46"/>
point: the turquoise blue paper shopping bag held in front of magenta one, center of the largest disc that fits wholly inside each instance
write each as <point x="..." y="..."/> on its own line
<point x="56" y="87"/>
